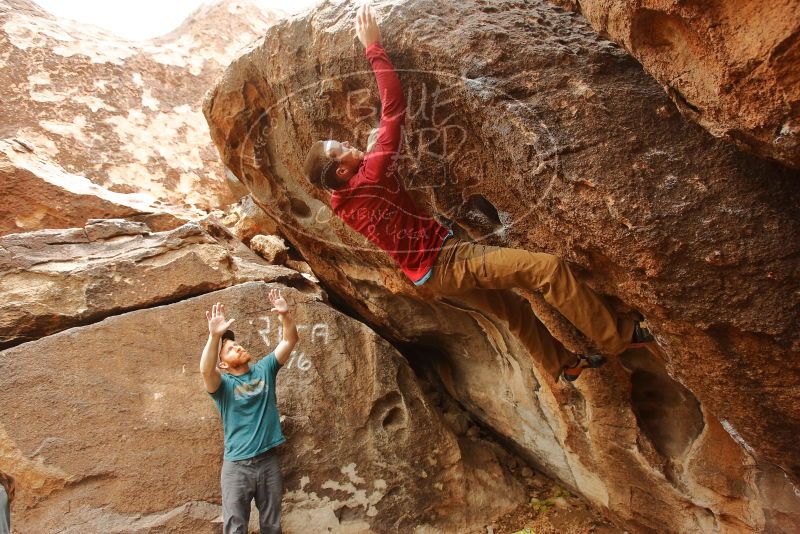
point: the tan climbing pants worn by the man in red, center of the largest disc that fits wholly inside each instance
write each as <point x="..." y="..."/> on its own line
<point x="475" y="272"/>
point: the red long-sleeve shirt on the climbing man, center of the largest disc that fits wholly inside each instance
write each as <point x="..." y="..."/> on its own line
<point x="374" y="202"/>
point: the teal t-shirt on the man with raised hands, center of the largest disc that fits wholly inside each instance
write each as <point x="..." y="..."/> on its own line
<point x="249" y="410"/>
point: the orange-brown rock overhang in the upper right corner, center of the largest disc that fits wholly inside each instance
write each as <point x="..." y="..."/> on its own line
<point x="731" y="66"/>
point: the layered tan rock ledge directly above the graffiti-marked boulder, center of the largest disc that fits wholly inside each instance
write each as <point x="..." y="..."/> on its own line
<point x="54" y="279"/>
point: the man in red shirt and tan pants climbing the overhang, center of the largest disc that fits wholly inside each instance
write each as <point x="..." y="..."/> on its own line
<point x="368" y="196"/>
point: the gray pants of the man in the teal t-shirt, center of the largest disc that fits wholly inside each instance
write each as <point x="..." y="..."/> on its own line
<point x="256" y="478"/>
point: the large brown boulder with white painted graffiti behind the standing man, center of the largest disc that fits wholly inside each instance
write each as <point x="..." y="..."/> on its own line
<point x="108" y="429"/>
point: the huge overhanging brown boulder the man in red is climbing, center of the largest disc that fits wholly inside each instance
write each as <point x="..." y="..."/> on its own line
<point x="524" y="129"/>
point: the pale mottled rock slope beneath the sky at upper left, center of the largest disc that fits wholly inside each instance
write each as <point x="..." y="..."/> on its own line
<point x="123" y="114"/>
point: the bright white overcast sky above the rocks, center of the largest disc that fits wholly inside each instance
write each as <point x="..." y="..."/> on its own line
<point x="145" y="19"/>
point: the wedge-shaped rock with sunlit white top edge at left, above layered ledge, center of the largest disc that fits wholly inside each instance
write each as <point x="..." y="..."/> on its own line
<point x="35" y="193"/>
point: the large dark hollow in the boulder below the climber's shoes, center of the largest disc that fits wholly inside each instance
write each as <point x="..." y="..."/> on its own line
<point x="666" y="412"/>
